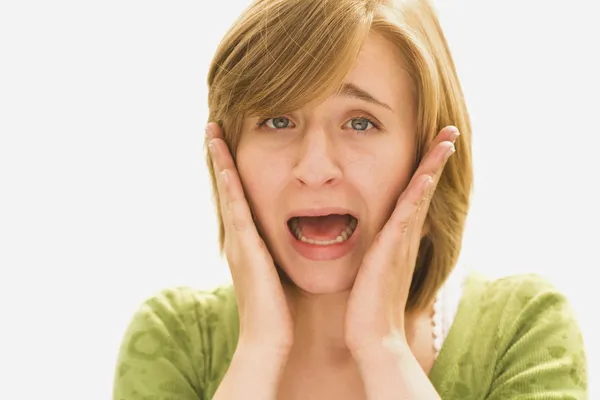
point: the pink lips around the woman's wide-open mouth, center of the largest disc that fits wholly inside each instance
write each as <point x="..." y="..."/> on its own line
<point x="315" y="252"/>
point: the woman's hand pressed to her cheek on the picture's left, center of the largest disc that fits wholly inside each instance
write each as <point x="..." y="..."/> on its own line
<point x="265" y="318"/>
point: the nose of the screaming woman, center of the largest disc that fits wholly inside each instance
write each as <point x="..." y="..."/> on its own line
<point x="316" y="165"/>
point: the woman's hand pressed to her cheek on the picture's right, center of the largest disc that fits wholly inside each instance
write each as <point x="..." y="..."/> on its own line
<point x="378" y="299"/>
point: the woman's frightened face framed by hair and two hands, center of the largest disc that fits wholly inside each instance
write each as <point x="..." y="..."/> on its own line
<point x="346" y="159"/>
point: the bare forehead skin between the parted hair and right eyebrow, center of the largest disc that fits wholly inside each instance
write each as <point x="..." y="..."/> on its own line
<point x="381" y="70"/>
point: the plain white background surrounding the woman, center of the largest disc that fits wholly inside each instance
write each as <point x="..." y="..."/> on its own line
<point x="104" y="196"/>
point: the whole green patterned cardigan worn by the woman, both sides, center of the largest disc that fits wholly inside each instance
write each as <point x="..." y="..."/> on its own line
<point x="511" y="338"/>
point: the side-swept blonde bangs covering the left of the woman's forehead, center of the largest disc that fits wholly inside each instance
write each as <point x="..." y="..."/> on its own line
<point x="287" y="54"/>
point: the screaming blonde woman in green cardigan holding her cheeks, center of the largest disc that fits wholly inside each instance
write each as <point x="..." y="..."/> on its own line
<point x="341" y="166"/>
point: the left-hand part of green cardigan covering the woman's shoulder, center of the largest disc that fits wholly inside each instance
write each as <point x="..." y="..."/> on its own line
<point x="175" y="343"/>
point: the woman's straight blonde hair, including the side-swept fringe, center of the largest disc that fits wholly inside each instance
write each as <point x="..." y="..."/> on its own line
<point x="283" y="54"/>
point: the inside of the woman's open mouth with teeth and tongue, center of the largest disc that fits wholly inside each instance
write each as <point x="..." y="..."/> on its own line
<point x="324" y="230"/>
